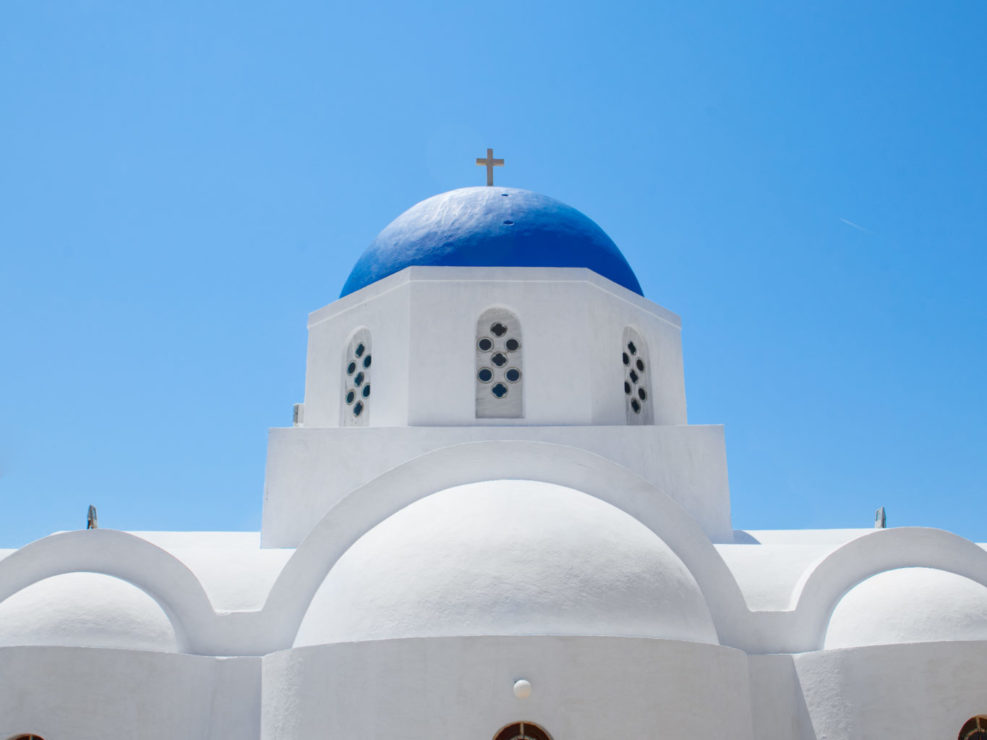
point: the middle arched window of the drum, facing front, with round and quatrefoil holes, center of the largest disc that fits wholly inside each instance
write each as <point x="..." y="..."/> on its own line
<point x="499" y="366"/>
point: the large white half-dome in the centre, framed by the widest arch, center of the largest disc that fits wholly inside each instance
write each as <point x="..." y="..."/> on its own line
<point x="508" y="557"/>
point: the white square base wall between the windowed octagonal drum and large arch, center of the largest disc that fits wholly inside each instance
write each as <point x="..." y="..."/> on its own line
<point x="309" y="470"/>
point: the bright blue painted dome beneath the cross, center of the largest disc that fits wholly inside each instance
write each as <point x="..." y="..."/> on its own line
<point x="491" y="227"/>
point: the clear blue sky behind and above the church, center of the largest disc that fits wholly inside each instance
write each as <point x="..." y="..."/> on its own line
<point x="182" y="182"/>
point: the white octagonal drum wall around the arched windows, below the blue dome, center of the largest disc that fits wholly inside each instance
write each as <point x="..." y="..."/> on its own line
<point x="423" y="323"/>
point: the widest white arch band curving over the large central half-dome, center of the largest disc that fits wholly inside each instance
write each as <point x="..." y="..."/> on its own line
<point x="472" y="462"/>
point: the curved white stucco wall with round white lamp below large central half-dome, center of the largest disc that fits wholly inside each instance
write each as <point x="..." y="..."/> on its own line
<point x="583" y="688"/>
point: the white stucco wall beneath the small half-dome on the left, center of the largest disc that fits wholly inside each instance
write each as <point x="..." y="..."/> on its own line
<point x="65" y="693"/>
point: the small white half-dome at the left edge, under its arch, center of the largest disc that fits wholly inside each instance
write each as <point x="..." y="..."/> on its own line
<point x="85" y="610"/>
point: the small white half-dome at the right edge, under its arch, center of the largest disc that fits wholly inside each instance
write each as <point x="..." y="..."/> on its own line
<point x="909" y="605"/>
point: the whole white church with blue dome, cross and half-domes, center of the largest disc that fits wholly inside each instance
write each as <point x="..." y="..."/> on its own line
<point x="492" y="520"/>
